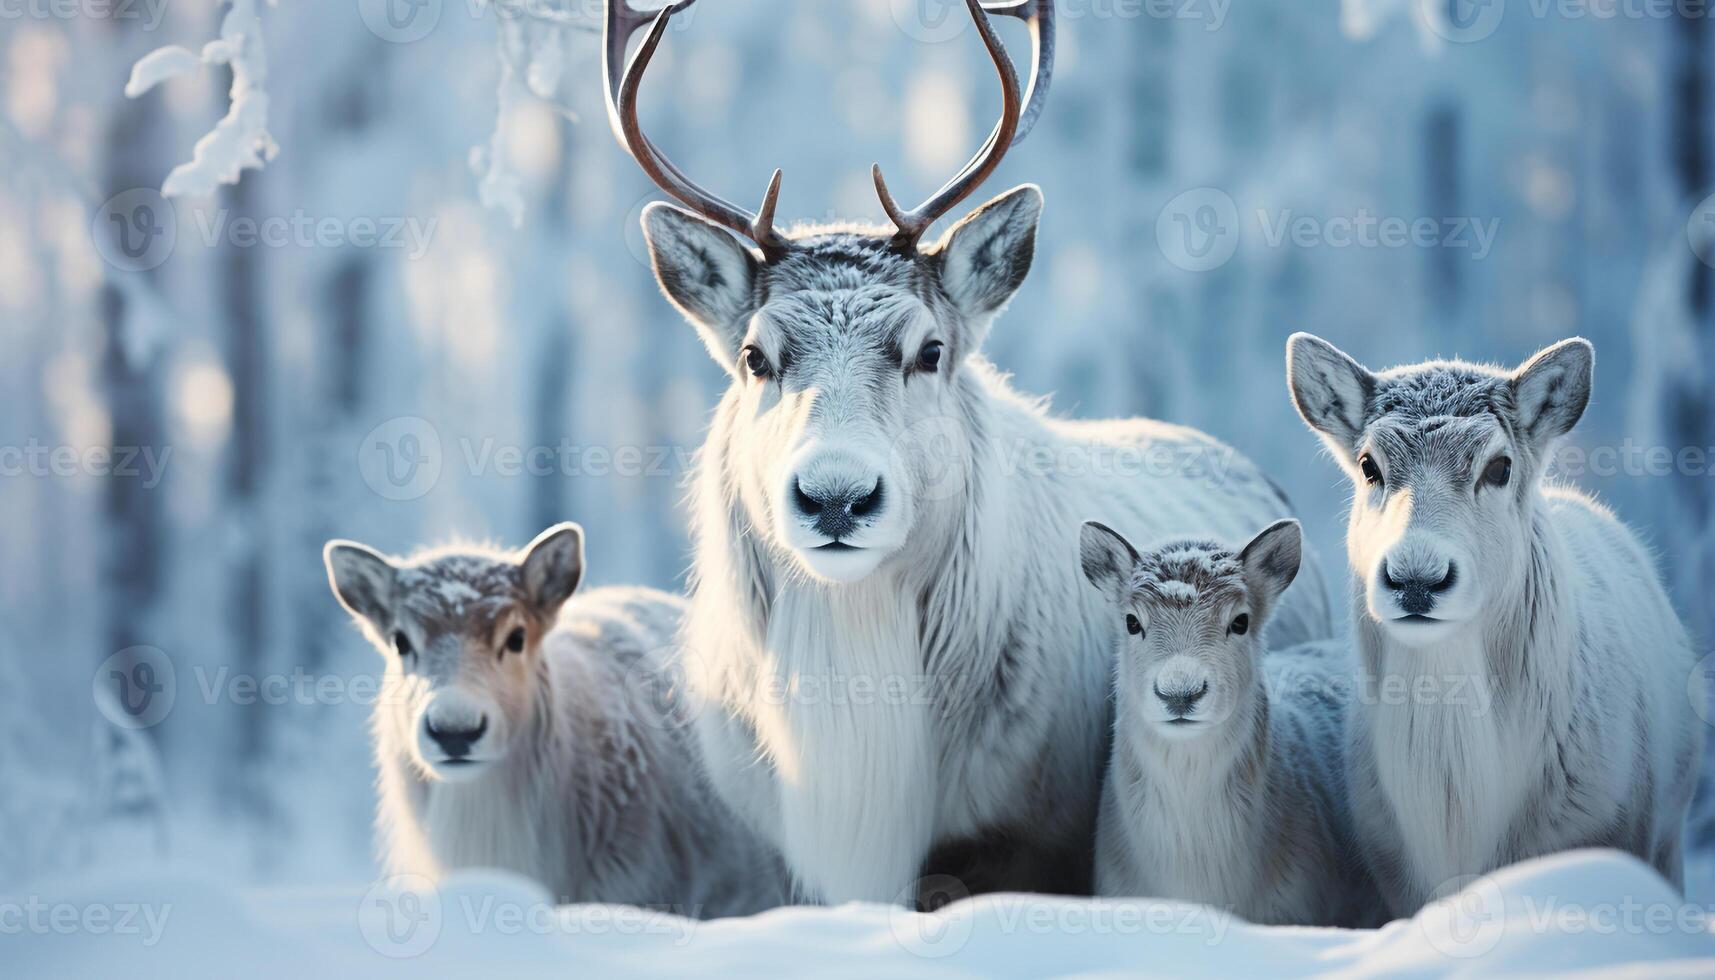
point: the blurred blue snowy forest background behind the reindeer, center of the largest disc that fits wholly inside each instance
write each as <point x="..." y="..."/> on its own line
<point x="466" y="375"/>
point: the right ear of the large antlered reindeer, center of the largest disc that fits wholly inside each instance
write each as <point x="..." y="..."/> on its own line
<point x="985" y="257"/>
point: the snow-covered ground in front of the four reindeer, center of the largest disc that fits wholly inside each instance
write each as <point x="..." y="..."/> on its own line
<point x="1594" y="914"/>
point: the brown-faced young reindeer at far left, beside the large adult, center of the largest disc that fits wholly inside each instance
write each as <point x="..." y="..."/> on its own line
<point x="512" y="732"/>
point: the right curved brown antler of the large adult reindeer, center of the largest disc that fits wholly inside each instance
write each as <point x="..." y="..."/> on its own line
<point x="1018" y="116"/>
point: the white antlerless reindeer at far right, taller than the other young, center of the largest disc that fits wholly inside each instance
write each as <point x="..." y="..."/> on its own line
<point x="1546" y="667"/>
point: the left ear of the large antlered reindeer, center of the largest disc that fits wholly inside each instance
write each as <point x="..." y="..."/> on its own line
<point x="707" y="274"/>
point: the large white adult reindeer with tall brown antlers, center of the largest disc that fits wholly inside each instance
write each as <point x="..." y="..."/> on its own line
<point x="888" y="622"/>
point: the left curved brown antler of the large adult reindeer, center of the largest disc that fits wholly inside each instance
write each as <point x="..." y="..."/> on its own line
<point x="623" y="116"/>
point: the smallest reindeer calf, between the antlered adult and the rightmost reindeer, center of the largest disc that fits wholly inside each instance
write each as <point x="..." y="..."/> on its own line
<point x="1227" y="783"/>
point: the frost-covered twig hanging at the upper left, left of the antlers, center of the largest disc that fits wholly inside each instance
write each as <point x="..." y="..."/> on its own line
<point x="241" y="140"/>
